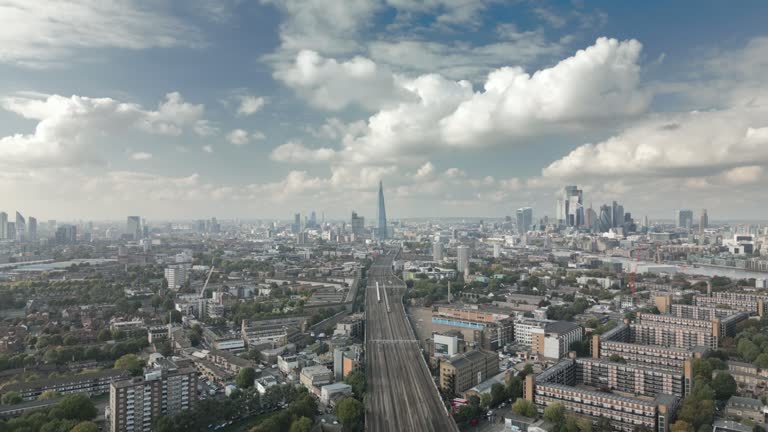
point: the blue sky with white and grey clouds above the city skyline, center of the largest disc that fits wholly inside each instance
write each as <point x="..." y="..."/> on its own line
<point x="264" y="108"/>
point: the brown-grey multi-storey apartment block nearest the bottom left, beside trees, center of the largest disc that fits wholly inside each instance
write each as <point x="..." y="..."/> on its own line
<point x="165" y="390"/>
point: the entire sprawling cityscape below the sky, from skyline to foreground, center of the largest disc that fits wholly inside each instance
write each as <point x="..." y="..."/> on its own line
<point x="592" y="320"/>
